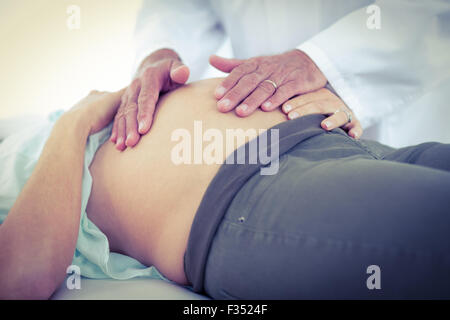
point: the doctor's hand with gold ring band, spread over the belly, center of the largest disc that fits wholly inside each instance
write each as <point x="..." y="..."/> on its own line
<point x="266" y="81"/>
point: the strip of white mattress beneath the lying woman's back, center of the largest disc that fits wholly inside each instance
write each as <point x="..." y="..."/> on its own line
<point x="134" y="289"/>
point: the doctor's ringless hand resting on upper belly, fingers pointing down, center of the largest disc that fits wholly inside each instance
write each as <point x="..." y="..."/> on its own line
<point x="160" y="72"/>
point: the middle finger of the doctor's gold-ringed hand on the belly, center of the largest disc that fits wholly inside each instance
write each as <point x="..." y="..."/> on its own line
<point x="240" y="91"/>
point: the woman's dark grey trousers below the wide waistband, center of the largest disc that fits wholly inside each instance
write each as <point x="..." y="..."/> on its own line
<point x="342" y="219"/>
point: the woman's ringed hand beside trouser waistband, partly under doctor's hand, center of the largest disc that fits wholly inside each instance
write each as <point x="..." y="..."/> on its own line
<point x="323" y="101"/>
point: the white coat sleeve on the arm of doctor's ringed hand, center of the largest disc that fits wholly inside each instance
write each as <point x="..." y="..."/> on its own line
<point x="378" y="71"/>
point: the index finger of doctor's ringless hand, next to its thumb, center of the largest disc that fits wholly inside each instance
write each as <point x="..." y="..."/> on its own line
<point x="147" y="100"/>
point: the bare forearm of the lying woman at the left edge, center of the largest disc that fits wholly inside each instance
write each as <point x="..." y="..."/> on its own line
<point x="38" y="237"/>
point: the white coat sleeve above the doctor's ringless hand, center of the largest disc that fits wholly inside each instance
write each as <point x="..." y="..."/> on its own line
<point x="190" y="28"/>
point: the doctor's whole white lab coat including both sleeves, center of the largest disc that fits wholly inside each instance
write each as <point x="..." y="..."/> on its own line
<point x="395" y="78"/>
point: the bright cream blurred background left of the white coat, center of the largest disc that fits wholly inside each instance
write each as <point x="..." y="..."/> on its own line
<point x="45" y="66"/>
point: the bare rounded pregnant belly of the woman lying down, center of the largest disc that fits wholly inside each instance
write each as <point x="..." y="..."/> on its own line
<point x="144" y="199"/>
